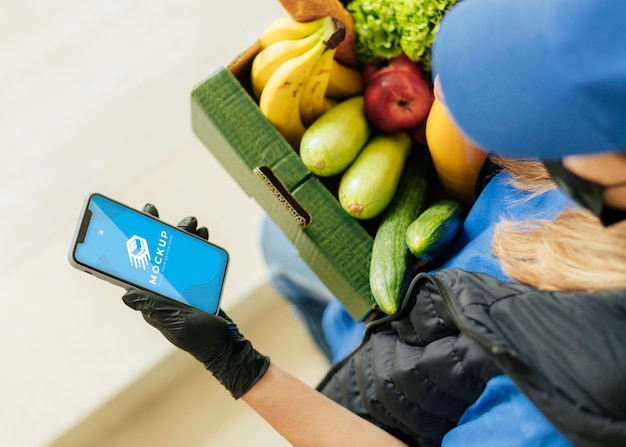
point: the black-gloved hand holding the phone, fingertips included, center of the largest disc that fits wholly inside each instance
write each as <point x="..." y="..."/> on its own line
<point x="214" y="340"/>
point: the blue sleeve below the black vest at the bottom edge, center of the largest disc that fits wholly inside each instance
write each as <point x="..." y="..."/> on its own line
<point x="503" y="417"/>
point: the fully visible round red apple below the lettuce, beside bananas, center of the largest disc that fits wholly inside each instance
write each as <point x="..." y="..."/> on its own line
<point x="397" y="100"/>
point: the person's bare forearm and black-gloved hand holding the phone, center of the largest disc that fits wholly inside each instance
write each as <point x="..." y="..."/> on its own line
<point x="301" y="414"/>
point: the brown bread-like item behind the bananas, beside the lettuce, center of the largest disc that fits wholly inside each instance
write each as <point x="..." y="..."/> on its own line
<point x="308" y="10"/>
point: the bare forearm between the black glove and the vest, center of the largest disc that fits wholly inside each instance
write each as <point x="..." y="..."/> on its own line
<point x="305" y="417"/>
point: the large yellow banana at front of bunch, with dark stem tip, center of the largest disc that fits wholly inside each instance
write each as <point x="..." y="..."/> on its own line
<point x="280" y="99"/>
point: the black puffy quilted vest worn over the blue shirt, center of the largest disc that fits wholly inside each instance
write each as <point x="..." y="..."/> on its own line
<point x="416" y="372"/>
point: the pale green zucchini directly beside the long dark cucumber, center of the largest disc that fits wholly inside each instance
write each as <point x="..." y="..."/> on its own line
<point x="368" y="185"/>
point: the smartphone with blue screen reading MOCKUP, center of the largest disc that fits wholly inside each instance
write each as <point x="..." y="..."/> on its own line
<point x="135" y="250"/>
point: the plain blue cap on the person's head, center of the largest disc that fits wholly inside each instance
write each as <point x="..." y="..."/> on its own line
<point x="535" y="78"/>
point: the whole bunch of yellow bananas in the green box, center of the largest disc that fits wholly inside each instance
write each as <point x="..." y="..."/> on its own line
<point x="295" y="72"/>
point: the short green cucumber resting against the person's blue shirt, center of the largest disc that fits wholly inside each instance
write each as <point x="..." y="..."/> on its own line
<point x="433" y="230"/>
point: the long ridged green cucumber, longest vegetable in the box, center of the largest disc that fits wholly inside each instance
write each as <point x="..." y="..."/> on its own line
<point x="389" y="264"/>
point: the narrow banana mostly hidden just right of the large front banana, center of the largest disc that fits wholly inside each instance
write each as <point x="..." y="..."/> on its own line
<point x="313" y="101"/>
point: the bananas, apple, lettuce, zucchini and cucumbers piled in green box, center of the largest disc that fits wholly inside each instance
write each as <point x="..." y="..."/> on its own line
<point x="360" y="116"/>
